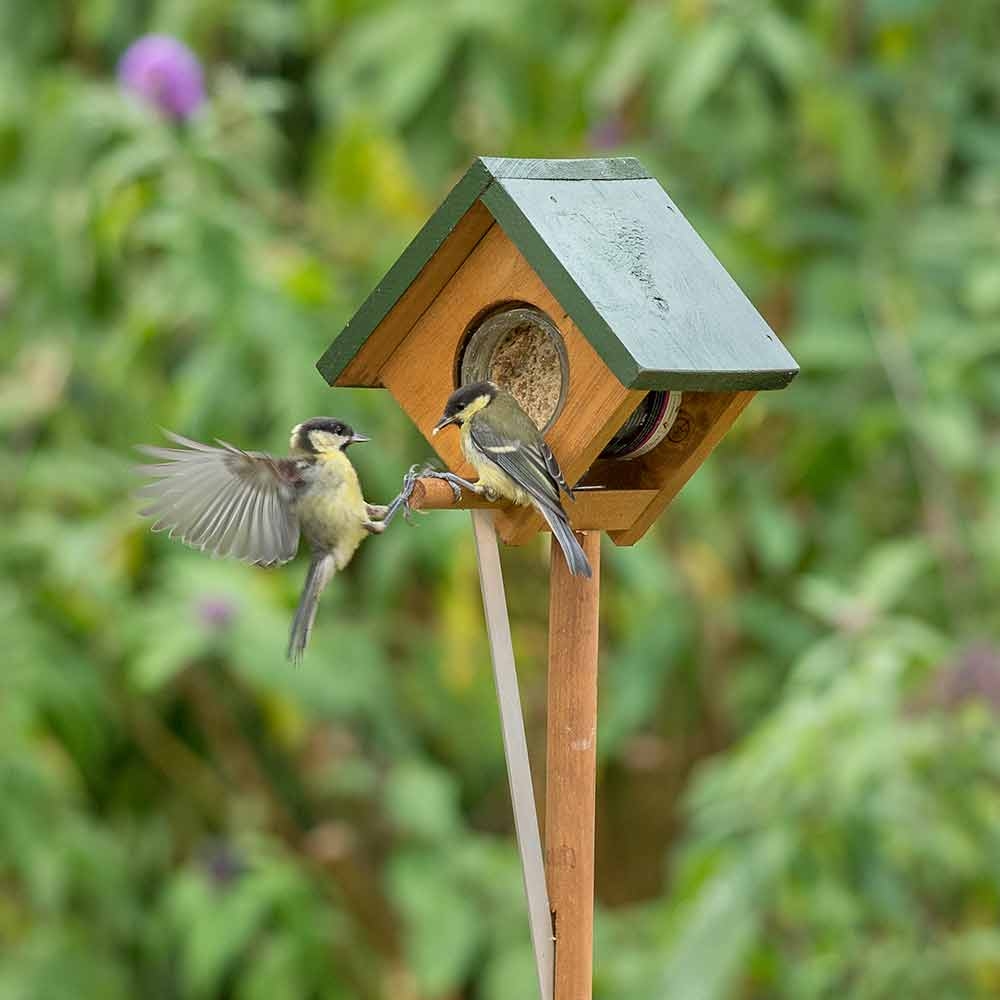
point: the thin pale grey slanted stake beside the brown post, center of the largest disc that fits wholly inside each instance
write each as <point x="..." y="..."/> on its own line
<point x="515" y="747"/>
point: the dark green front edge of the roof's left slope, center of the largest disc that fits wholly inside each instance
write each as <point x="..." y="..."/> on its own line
<point x="403" y="273"/>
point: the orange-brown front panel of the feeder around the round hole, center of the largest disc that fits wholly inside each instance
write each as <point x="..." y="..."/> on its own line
<point x="420" y="371"/>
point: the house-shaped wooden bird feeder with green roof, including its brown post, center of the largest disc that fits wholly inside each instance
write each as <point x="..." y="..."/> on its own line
<point x="579" y="287"/>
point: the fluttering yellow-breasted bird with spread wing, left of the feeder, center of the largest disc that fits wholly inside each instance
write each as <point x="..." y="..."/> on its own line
<point x="253" y="506"/>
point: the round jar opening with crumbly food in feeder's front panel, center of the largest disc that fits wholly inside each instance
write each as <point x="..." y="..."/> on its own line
<point x="522" y="350"/>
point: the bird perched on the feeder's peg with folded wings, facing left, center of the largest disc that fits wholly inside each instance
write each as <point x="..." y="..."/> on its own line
<point x="511" y="458"/>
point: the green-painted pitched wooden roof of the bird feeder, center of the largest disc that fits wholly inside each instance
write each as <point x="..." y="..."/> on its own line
<point x="622" y="260"/>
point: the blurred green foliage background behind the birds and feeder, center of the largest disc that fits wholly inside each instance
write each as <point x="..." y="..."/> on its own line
<point x="799" y="790"/>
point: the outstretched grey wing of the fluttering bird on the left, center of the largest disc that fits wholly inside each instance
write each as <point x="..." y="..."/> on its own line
<point x="223" y="500"/>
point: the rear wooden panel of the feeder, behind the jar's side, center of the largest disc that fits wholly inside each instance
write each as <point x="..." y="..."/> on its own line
<point x="701" y="423"/>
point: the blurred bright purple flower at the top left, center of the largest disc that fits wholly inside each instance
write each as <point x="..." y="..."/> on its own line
<point x="165" y="73"/>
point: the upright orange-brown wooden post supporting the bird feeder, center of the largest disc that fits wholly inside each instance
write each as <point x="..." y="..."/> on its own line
<point x="571" y="767"/>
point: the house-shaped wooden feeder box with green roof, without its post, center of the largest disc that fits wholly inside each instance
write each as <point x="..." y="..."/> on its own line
<point x="640" y="301"/>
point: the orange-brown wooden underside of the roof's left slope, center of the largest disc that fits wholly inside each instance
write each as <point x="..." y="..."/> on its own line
<point x="364" y="368"/>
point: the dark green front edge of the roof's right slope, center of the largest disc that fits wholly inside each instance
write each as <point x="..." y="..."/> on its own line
<point x="550" y="269"/>
